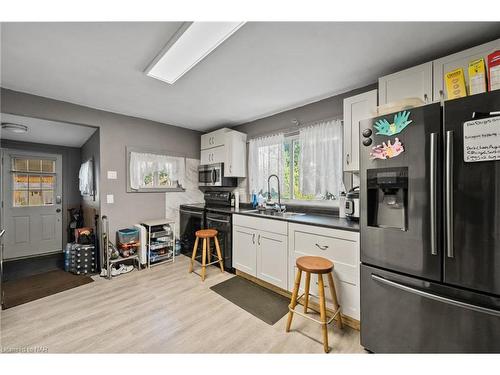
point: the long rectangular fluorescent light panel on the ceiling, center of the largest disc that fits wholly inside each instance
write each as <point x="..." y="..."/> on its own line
<point x="191" y="44"/>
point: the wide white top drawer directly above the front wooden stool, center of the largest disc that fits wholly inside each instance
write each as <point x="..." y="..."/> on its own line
<point x="334" y="248"/>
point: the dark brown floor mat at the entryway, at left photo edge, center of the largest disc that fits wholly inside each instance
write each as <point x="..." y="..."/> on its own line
<point x="30" y="288"/>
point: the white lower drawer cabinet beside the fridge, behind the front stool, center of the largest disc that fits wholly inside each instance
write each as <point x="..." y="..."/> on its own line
<point x="339" y="246"/>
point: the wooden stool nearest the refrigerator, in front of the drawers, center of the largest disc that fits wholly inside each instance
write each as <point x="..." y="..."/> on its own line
<point x="318" y="266"/>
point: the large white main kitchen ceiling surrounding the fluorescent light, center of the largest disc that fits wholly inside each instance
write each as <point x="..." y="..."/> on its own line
<point x="265" y="68"/>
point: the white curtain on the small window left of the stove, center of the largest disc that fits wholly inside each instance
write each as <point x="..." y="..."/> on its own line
<point x="143" y="164"/>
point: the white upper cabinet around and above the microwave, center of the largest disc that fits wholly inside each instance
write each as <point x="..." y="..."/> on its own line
<point x="225" y="146"/>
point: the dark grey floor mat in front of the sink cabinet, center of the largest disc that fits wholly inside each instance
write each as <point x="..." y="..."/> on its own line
<point x="262" y="303"/>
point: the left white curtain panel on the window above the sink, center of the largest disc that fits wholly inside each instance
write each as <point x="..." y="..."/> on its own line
<point x="265" y="157"/>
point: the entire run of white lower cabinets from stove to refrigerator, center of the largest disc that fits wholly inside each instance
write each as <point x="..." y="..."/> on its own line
<point x="268" y="249"/>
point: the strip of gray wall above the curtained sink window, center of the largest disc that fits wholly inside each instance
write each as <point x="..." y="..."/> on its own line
<point x="326" y="108"/>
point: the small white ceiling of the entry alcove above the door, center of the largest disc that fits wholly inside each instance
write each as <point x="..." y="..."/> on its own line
<point x="47" y="132"/>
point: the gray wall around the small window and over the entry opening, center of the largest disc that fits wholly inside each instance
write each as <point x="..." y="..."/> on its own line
<point x="116" y="132"/>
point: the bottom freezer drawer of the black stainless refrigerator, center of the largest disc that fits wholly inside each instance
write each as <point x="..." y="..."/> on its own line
<point x="401" y="314"/>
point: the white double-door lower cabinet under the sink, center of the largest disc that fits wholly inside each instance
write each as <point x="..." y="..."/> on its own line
<point x="260" y="248"/>
